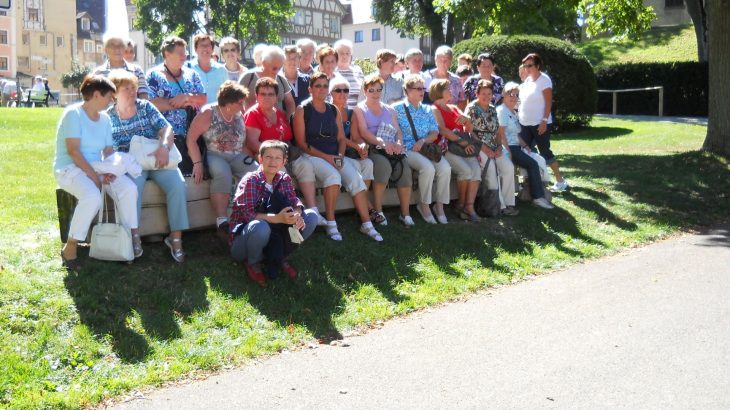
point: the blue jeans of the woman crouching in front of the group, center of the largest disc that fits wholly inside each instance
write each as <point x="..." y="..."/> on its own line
<point x="250" y="244"/>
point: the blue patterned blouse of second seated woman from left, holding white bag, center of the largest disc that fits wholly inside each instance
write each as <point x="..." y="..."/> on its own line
<point x="147" y="122"/>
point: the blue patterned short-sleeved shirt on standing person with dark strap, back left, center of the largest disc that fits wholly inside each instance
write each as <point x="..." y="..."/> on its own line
<point x="161" y="87"/>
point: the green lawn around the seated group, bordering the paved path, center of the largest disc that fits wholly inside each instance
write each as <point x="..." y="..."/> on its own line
<point x="68" y="339"/>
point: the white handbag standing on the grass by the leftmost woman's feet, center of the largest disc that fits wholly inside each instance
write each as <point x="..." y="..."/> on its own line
<point x="110" y="241"/>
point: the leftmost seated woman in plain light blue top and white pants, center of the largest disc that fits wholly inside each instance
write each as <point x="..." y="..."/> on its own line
<point x="84" y="134"/>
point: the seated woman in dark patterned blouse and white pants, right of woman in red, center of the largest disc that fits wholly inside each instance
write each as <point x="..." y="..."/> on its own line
<point x="484" y="119"/>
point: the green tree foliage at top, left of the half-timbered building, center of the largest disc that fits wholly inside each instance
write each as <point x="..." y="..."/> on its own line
<point x="249" y="21"/>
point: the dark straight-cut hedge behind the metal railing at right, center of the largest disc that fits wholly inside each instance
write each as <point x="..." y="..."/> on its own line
<point x="685" y="88"/>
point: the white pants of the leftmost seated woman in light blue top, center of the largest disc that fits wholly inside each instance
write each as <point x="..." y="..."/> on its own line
<point x="123" y="191"/>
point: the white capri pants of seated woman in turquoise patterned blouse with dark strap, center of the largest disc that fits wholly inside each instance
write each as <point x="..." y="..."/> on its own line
<point x="427" y="171"/>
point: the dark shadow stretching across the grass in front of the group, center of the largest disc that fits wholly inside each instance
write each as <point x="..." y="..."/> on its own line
<point x="132" y="303"/>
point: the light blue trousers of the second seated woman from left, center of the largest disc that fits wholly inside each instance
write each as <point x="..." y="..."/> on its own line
<point x="172" y="183"/>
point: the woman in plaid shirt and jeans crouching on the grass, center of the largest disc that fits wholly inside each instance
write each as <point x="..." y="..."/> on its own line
<point x="264" y="208"/>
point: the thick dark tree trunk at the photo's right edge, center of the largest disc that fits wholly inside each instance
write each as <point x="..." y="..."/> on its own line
<point x="718" y="127"/>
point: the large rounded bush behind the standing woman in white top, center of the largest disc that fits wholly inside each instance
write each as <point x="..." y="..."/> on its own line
<point x="574" y="83"/>
